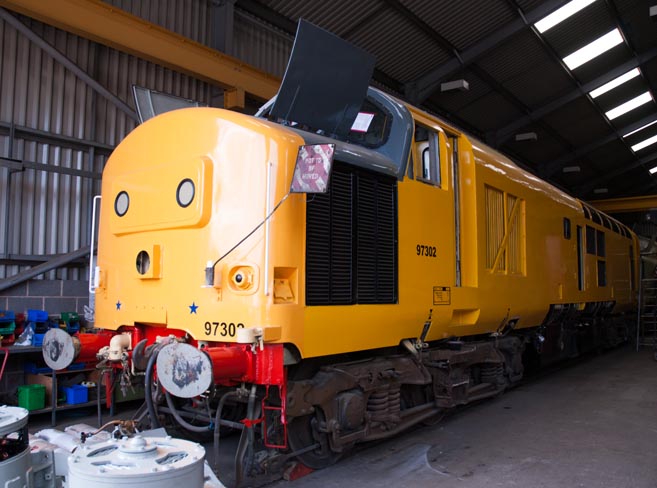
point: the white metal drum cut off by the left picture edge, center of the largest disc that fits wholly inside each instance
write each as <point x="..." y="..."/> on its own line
<point x="14" y="447"/>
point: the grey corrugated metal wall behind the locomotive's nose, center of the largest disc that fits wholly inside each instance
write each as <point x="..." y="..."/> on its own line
<point x="43" y="212"/>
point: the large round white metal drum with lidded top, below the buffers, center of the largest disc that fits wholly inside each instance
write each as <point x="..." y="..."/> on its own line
<point x="138" y="462"/>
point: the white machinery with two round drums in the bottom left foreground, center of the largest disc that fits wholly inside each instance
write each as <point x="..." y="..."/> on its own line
<point x="140" y="461"/>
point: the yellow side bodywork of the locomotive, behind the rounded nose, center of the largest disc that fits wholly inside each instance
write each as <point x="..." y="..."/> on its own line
<point x="486" y="298"/>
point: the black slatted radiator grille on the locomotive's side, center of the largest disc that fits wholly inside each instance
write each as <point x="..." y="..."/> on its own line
<point x="351" y="240"/>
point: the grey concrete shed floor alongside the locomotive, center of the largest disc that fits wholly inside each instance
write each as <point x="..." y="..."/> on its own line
<point x="592" y="424"/>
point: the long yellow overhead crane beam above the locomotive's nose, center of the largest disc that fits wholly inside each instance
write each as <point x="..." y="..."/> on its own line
<point x="111" y="26"/>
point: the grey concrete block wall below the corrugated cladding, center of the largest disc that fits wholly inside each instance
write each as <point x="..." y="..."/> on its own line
<point x="53" y="296"/>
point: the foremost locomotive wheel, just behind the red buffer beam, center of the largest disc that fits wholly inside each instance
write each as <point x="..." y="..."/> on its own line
<point x="304" y="432"/>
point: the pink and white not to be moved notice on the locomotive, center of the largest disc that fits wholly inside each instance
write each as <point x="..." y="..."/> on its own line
<point x="313" y="168"/>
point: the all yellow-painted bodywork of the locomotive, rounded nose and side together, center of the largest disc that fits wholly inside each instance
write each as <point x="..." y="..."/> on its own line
<point x="231" y="157"/>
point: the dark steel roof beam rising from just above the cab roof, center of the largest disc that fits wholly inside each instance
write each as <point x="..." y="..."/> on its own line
<point x="419" y="90"/>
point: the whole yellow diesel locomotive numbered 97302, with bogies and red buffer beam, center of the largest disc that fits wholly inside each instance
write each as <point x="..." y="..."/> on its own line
<point x="419" y="280"/>
